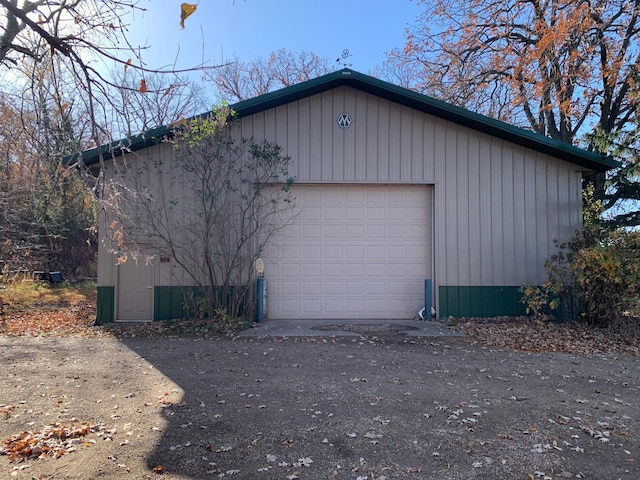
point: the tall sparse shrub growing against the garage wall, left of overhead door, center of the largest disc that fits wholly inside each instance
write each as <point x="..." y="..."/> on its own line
<point x="209" y="201"/>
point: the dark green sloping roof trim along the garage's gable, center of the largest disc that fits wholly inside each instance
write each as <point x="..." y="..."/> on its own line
<point x="589" y="160"/>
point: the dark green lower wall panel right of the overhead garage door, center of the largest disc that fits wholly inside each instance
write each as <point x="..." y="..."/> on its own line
<point x="479" y="301"/>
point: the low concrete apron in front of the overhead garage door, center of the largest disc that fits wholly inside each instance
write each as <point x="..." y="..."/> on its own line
<point x="348" y="328"/>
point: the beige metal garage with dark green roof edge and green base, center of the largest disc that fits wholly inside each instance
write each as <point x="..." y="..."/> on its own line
<point x="391" y="187"/>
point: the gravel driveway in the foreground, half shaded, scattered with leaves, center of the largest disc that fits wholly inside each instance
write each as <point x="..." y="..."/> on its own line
<point x="376" y="406"/>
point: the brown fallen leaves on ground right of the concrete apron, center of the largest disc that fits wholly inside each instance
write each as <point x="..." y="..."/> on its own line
<point x="529" y="335"/>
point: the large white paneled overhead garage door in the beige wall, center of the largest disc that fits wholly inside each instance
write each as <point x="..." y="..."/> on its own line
<point x="355" y="251"/>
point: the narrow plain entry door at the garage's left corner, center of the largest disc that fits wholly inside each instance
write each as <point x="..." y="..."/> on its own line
<point x="135" y="291"/>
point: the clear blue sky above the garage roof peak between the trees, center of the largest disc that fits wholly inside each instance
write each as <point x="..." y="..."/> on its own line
<point x="246" y="29"/>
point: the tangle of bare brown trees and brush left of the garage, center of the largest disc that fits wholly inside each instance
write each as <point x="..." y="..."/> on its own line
<point x="46" y="212"/>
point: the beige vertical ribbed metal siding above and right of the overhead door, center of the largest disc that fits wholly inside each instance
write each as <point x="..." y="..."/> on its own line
<point x="497" y="206"/>
